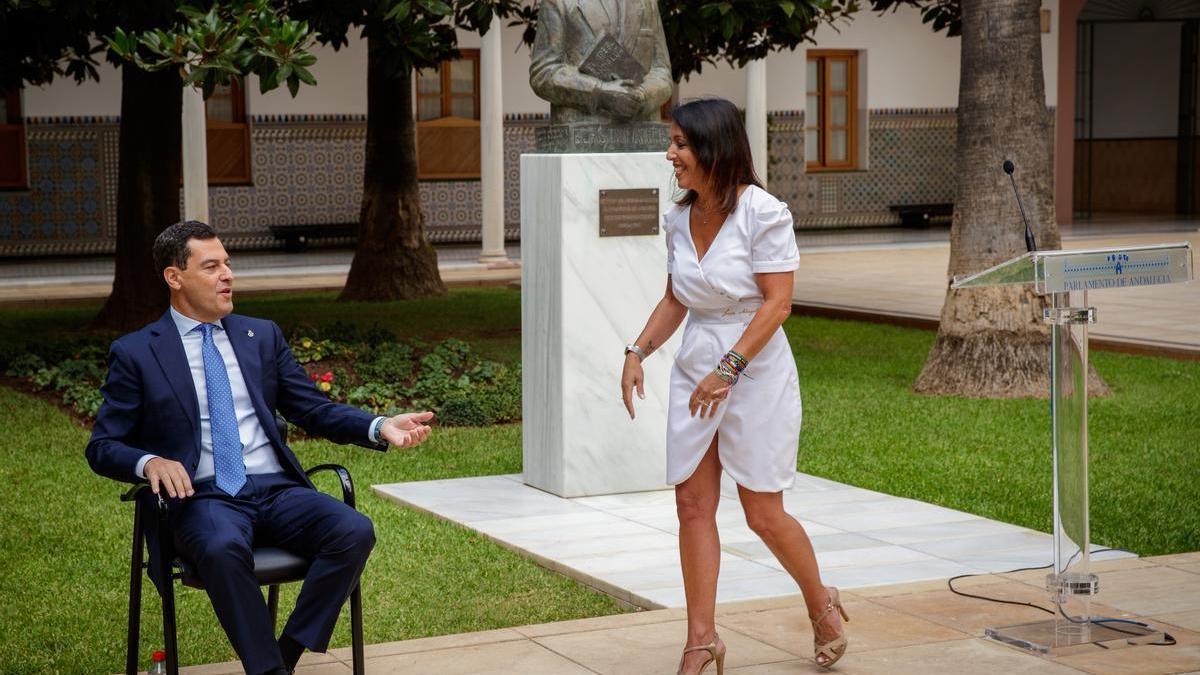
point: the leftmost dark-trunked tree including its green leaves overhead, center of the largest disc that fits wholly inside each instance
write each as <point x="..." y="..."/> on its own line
<point x="44" y="39"/>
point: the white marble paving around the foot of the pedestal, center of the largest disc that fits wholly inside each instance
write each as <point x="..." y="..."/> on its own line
<point x="627" y="546"/>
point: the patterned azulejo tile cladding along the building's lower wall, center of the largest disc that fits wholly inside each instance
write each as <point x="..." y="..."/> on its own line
<point x="309" y="170"/>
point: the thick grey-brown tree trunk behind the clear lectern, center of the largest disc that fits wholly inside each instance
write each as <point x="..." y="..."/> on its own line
<point x="992" y="343"/>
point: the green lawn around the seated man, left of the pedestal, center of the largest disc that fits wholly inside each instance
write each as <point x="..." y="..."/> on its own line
<point x="64" y="564"/>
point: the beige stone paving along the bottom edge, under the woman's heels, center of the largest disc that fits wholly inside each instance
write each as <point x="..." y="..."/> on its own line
<point x="909" y="629"/>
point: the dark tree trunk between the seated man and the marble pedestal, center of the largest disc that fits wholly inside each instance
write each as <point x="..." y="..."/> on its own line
<point x="393" y="260"/>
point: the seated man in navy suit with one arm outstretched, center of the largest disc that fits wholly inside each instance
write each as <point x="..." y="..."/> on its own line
<point x="190" y="407"/>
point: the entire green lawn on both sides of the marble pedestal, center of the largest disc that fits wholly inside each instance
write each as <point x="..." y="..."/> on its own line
<point x="65" y="535"/>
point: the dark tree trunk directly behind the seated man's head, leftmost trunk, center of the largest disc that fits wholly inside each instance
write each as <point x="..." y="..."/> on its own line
<point x="147" y="194"/>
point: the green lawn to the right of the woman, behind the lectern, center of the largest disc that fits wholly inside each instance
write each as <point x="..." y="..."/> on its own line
<point x="865" y="426"/>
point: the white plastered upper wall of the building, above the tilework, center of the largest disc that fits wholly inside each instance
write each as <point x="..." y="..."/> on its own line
<point x="909" y="67"/>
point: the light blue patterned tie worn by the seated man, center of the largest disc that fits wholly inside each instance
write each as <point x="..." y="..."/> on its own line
<point x="227" y="449"/>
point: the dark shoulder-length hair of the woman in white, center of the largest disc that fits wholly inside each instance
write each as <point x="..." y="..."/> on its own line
<point x="718" y="139"/>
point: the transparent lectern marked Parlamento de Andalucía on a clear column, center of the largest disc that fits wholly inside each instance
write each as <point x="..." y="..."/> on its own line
<point x="1067" y="277"/>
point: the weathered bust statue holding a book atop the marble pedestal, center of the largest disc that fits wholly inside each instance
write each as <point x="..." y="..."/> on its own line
<point x="605" y="70"/>
